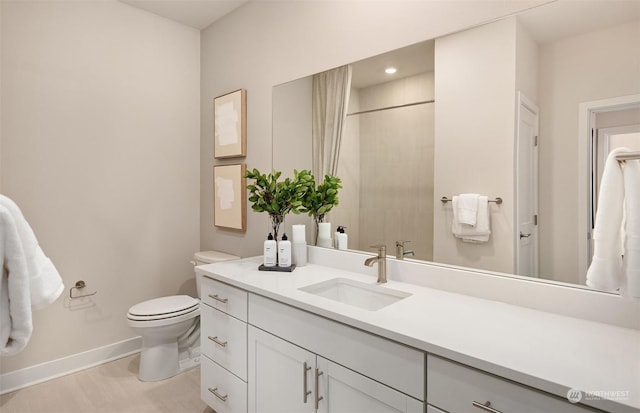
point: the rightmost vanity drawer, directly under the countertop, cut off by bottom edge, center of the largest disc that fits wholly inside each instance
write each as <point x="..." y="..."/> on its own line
<point x="457" y="389"/>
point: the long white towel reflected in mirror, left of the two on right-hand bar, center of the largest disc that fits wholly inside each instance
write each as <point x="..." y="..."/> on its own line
<point x="605" y="271"/>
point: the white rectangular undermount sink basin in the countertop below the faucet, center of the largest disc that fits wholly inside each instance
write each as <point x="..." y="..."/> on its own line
<point x="358" y="294"/>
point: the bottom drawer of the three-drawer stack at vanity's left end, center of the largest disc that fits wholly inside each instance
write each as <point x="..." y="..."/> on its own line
<point x="221" y="390"/>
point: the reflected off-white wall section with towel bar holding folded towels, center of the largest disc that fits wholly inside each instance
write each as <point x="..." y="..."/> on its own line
<point x="474" y="124"/>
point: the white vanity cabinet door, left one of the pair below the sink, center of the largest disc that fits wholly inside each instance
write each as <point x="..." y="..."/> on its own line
<point x="281" y="375"/>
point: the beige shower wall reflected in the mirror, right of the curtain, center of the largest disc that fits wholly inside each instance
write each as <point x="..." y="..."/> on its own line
<point x="395" y="159"/>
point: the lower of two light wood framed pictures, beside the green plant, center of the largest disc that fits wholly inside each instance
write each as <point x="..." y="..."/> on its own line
<point x="230" y="196"/>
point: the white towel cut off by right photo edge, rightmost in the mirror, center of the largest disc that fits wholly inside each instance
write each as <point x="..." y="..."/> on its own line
<point x="631" y="260"/>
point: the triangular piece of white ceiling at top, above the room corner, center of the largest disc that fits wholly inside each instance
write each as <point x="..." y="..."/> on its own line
<point x="195" y="13"/>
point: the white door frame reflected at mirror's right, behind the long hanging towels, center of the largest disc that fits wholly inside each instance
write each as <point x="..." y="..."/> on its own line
<point x="586" y="119"/>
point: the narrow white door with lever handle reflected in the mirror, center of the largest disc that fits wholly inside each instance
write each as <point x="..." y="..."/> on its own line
<point x="526" y="234"/>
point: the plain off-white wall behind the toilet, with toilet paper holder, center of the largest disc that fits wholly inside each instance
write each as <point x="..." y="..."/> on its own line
<point x="100" y="149"/>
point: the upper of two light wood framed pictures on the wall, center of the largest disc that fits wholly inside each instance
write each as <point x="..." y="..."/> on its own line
<point x="230" y="125"/>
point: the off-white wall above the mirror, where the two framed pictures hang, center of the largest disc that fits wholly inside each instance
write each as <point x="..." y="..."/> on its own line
<point x="263" y="44"/>
